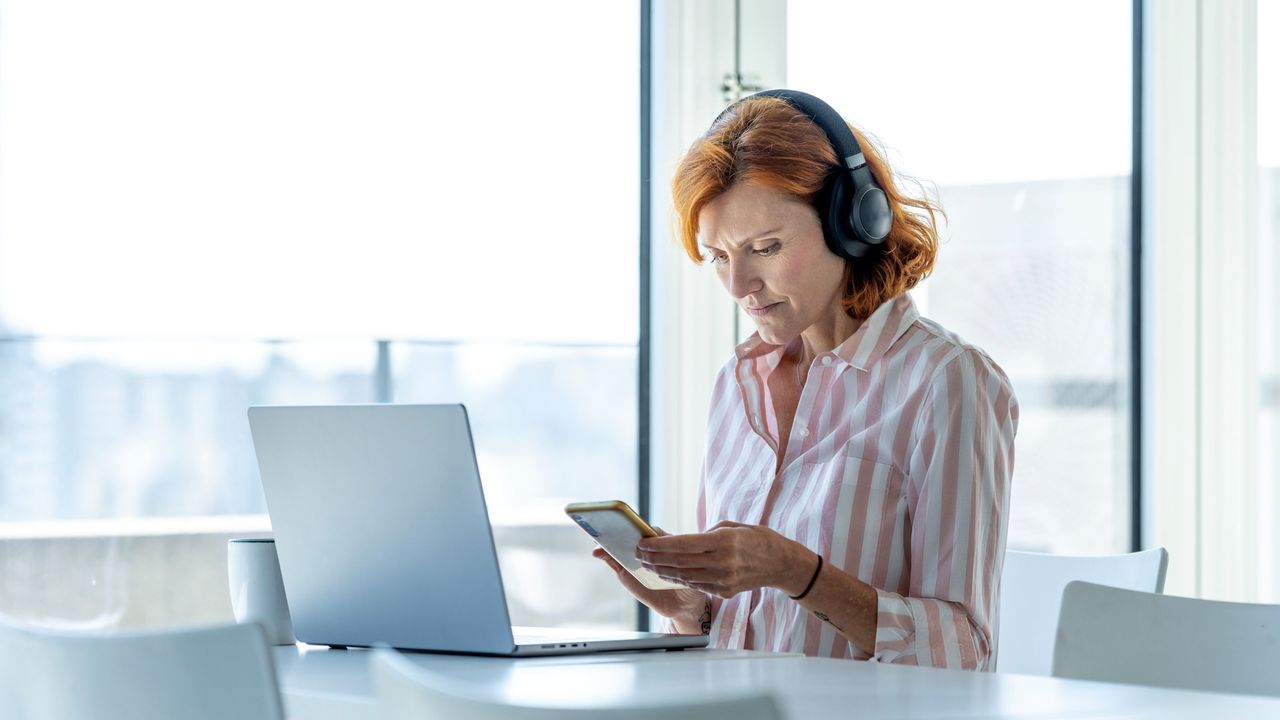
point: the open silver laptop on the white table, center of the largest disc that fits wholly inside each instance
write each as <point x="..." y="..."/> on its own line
<point x="385" y="539"/>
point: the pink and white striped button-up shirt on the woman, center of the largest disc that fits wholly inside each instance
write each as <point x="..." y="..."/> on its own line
<point x="898" y="472"/>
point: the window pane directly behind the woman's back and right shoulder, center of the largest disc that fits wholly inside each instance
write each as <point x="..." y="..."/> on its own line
<point x="1028" y="139"/>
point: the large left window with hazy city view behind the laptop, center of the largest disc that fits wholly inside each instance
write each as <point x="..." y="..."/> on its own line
<point x="208" y="207"/>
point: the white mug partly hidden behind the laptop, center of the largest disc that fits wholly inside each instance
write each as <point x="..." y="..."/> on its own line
<point x="258" y="590"/>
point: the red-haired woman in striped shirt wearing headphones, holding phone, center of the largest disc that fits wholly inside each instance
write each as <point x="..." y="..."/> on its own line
<point x="856" y="489"/>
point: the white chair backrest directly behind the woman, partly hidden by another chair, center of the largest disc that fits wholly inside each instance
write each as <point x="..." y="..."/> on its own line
<point x="1031" y="594"/>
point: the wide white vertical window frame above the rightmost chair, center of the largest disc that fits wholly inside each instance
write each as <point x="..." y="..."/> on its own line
<point x="1201" y="398"/>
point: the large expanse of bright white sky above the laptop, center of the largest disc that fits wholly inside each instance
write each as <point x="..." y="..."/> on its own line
<point x="255" y="168"/>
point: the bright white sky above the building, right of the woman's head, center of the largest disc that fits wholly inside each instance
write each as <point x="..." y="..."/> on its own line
<point x="977" y="92"/>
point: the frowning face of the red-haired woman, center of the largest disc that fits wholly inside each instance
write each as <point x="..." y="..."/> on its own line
<point x="770" y="253"/>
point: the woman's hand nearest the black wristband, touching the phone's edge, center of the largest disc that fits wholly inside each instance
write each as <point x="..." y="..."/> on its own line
<point x="729" y="559"/>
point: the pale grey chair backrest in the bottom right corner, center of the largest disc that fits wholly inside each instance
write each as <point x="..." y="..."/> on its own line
<point x="1176" y="642"/>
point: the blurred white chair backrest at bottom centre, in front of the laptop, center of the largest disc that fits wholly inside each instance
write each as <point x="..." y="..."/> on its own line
<point x="408" y="691"/>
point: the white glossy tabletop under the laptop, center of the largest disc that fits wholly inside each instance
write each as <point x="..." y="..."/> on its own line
<point x="328" y="685"/>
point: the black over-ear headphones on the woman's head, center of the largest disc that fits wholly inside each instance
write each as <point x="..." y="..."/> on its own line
<point x="854" y="211"/>
